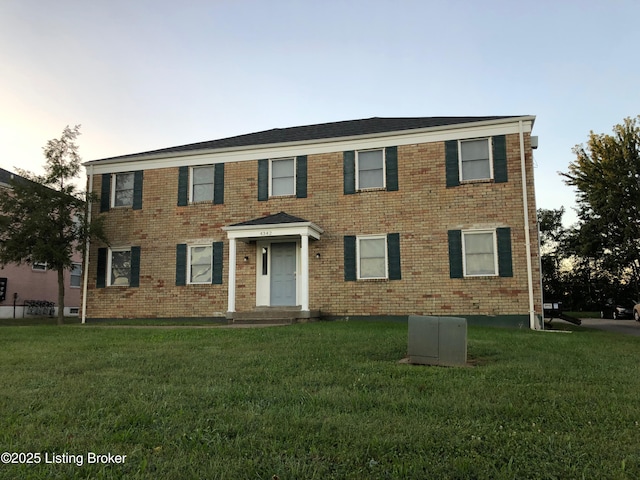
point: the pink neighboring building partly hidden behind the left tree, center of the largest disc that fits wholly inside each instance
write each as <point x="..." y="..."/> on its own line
<point x="36" y="282"/>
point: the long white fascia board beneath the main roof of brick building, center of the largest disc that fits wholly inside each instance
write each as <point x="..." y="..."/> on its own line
<point x="442" y="133"/>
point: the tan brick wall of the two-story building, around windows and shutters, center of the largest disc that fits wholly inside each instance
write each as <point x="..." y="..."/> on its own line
<point x="422" y="212"/>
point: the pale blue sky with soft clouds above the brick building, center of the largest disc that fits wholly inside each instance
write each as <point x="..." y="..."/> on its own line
<point x="146" y="74"/>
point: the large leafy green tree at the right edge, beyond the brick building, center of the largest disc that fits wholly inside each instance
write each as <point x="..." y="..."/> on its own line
<point x="606" y="174"/>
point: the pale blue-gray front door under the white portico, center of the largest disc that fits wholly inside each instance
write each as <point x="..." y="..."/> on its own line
<point x="283" y="274"/>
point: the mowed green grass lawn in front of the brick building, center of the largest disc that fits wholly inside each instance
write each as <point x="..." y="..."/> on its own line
<point x="318" y="401"/>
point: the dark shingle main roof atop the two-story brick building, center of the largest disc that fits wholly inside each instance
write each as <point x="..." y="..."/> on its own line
<point x="319" y="131"/>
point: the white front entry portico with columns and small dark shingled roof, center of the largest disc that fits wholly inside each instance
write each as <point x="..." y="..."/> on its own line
<point x="282" y="259"/>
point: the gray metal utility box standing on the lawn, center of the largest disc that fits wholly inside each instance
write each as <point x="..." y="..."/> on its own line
<point x="437" y="340"/>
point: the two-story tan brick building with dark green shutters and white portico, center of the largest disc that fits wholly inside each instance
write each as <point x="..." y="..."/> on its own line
<point x="373" y="217"/>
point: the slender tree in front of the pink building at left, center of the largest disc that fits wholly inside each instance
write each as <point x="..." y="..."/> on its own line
<point x="43" y="218"/>
